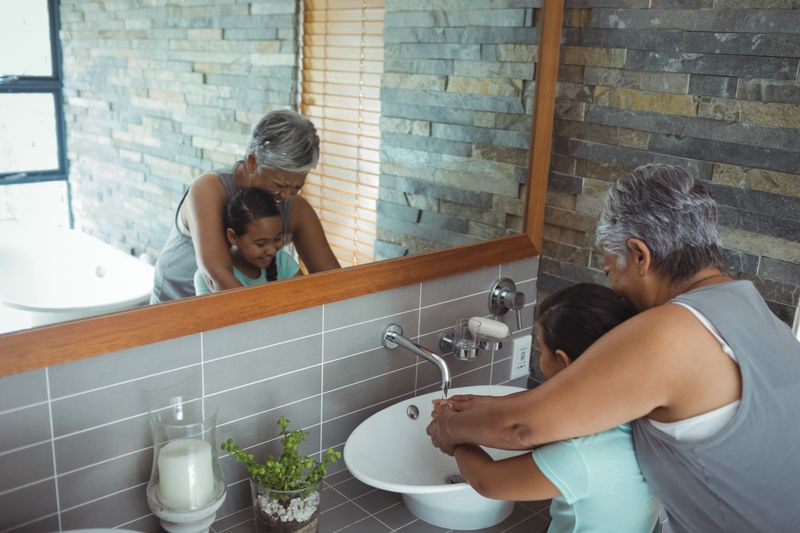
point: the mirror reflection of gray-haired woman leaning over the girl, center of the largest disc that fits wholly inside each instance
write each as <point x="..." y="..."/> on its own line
<point x="283" y="149"/>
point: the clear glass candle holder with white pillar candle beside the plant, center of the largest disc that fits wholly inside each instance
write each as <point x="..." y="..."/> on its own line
<point x="186" y="483"/>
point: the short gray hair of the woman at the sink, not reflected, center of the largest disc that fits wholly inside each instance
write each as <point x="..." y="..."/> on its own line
<point x="668" y="209"/>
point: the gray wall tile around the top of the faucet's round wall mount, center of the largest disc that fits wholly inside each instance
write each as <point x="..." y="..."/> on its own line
<point x="367" y="335"/>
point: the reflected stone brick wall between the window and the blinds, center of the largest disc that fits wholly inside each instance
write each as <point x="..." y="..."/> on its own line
<point x="157" y="93"/>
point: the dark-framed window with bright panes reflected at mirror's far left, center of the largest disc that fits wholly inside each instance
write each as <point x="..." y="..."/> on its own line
<point x="31" y="115"/>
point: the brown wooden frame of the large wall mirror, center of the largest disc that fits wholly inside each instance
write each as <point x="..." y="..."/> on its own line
<point x="61" y="343"/>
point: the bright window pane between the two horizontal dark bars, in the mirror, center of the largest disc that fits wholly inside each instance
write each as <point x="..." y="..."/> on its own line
<point x="28" y="136"/>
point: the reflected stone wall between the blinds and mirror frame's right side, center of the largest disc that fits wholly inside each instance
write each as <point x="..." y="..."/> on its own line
<point x="456" y="99"/>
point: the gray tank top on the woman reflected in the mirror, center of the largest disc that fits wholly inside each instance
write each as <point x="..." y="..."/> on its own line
<point x="175" y="267"/>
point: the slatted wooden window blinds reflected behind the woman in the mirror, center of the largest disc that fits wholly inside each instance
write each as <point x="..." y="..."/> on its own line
<point x="341" y="78"/>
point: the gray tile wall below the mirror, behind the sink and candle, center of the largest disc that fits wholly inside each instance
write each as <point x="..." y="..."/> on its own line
<point x="75" y="443"/>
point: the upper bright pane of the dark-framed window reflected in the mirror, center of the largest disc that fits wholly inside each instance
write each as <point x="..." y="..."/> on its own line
<point x="25" y="29"/>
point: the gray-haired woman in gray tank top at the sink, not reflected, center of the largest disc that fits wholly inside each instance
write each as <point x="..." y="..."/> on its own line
<point x="710" y="377"/>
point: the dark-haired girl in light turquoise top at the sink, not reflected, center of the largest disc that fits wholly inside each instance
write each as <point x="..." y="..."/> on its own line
<point x="594" y="481"/>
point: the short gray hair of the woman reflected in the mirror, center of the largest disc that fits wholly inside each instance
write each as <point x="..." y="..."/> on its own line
<point x="285" y="140"/>
